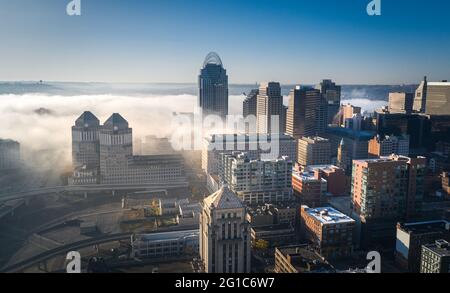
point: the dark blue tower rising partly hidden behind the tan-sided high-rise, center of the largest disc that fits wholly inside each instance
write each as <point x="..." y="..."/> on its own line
<point x="331" y="94"/>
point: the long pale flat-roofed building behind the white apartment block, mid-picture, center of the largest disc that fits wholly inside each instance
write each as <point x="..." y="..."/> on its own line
<point x="272" y="147"/>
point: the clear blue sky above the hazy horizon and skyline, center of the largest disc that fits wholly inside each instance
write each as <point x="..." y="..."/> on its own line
<point x="291" y="41"/>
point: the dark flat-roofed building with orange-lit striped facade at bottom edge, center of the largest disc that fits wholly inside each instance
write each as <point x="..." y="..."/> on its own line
<point x="300" y="259"/>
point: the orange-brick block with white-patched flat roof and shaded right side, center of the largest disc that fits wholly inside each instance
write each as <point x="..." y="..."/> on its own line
<point x="328" y="230"/>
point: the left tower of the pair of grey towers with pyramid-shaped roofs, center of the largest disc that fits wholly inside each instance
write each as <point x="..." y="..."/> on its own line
<point x="85" y="142"/>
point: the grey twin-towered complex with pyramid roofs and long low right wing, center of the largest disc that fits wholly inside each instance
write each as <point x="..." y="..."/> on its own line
<point x="103" y="154"/>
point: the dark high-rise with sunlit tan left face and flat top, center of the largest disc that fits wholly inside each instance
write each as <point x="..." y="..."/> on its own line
<point x="303" y="114"/>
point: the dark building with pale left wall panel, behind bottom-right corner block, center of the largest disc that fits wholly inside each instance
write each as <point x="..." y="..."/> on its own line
<point x="411" y="237"/>
